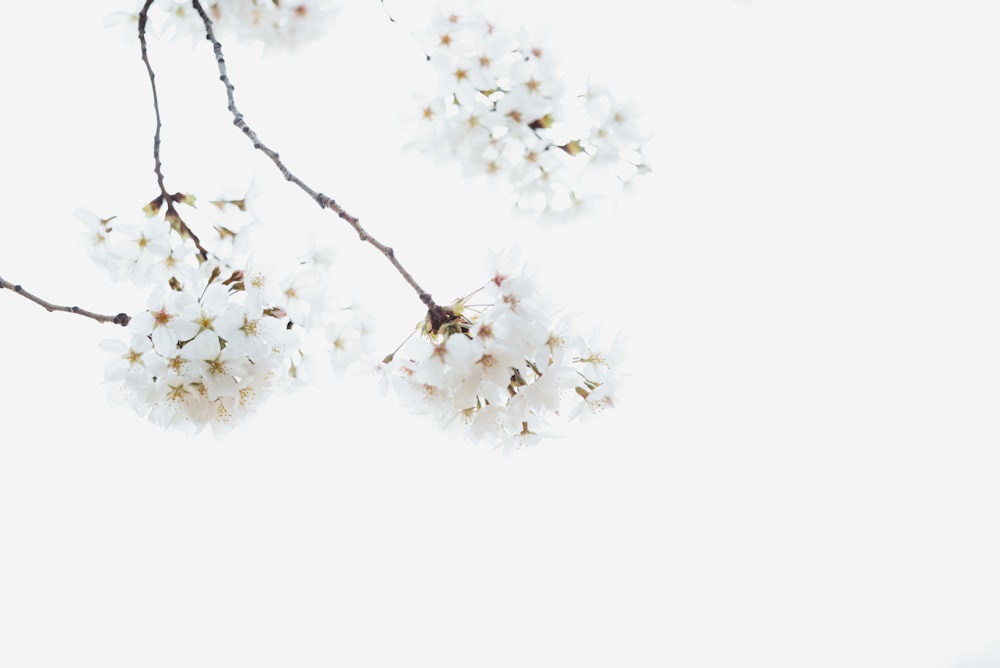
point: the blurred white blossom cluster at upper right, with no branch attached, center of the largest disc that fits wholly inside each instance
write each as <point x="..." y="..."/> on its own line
<point x="501" y="108"/>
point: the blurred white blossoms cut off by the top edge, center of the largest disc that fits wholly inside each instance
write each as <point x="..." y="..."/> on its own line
<point x="274" y="23"/>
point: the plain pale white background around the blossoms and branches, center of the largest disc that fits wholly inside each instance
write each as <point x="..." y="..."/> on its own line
<point x="803" y="470"/>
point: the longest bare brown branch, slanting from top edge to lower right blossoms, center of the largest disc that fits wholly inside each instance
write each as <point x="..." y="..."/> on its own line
<point x="321" y="199"/>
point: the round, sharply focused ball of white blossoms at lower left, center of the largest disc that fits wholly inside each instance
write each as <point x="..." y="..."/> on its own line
<point x="205" y="354"/>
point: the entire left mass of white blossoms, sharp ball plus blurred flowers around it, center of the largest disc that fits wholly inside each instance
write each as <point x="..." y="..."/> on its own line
<point x="219" y="333"/>
